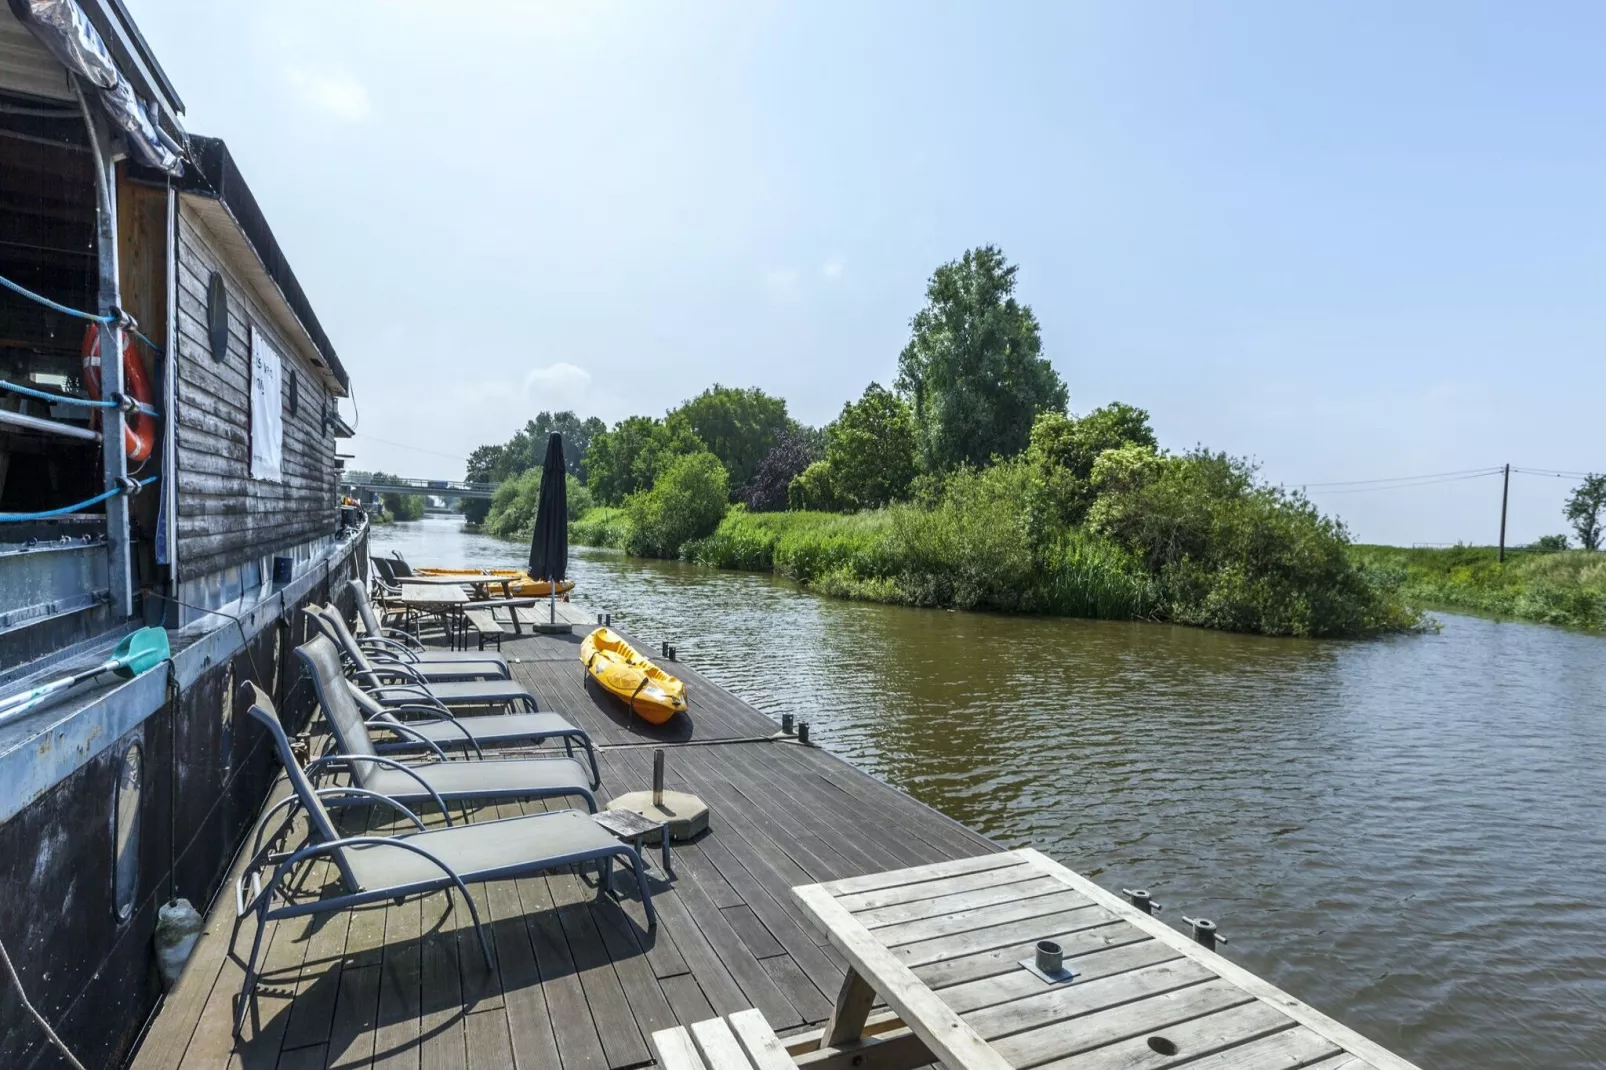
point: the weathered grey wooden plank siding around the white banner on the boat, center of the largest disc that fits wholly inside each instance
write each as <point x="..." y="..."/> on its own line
<point x="226" y="518"/>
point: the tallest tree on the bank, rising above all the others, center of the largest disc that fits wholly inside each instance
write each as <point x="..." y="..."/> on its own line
<point x="974" y="367"/>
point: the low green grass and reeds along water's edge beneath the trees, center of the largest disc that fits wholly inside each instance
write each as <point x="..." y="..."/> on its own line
<point x="982" y="557"/>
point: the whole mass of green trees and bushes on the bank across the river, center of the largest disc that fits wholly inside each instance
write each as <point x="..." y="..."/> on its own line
<point x="968" y="486"/>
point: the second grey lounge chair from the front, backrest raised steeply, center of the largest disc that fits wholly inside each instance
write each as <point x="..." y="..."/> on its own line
<point x="438" y="782"/>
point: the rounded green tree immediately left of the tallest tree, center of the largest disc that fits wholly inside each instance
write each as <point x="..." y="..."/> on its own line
<point x="871" y="451"/>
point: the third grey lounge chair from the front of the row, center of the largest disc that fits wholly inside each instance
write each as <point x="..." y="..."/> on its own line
<point x="438" y="730"/>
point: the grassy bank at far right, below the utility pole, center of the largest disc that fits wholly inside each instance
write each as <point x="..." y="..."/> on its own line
<point x="1562" y="589"/>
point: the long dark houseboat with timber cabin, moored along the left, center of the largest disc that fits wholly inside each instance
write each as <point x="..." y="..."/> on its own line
<point x="189" y="486"/>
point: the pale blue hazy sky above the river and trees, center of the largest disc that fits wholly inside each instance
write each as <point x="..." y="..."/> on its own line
<point x="1350" y="242"/>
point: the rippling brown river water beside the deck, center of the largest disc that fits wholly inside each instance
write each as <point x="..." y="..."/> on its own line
<point x="1409" y="833"/>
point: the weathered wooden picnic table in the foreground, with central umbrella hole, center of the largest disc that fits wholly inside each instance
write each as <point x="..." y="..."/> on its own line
<point x="947" y="949"/>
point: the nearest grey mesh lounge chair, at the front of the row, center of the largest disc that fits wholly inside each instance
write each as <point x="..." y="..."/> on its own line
<point x="380" y="868"/>
